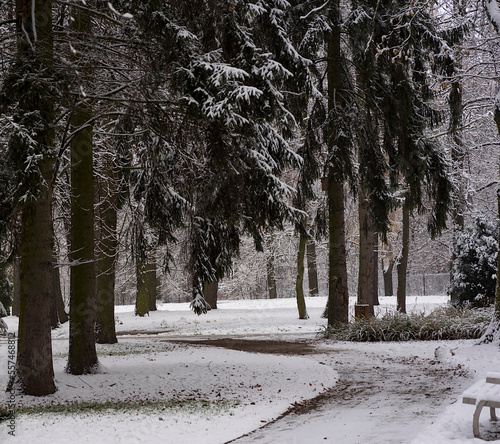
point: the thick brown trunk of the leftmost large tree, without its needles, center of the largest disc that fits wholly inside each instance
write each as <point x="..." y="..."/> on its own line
<point x="34" y="371"/>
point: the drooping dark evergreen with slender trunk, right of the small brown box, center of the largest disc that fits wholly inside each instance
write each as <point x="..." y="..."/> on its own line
<point x="394" y="57"/>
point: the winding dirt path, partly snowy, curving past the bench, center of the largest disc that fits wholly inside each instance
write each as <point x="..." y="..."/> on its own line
<point x="371" y="383"/>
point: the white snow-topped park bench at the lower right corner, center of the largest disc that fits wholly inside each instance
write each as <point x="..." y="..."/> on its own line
<point x="484" y="394"/>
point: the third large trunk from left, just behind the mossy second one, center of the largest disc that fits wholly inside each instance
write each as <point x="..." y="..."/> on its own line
<point x="106" y="253"/>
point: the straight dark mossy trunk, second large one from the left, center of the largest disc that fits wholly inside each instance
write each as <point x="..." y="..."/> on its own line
<point x="82" y="356"/>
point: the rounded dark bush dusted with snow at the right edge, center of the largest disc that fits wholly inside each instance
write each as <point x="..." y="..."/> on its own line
<point x="474" y="272"/>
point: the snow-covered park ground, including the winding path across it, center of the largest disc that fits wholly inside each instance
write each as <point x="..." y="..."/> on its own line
<point x="222" y="393"/>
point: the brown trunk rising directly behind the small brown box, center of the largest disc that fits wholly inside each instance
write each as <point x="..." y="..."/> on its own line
<point x="368" y="261"/>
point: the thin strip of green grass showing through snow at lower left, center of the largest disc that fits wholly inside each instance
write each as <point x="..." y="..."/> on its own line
<point x="189" y="405"/>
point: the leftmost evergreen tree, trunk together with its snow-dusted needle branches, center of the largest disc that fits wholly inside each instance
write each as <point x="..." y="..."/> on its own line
<point x="27" y="96"/>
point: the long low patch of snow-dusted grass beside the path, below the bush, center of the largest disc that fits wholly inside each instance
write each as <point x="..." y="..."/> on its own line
<point x="446" y="323"/>
